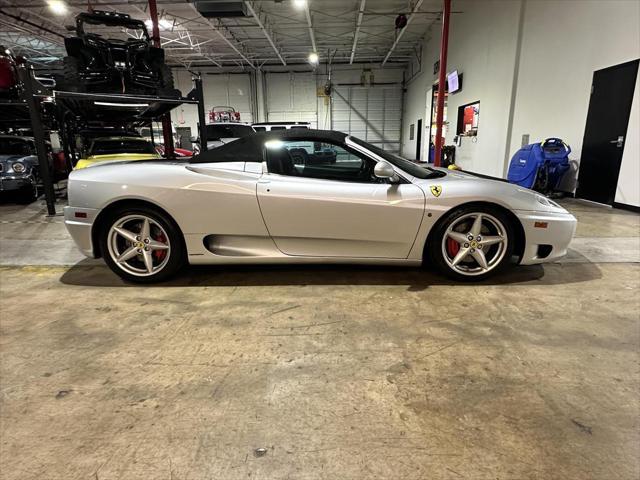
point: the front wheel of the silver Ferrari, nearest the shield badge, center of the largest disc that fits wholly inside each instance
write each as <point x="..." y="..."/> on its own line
<point x="495" y="246"/>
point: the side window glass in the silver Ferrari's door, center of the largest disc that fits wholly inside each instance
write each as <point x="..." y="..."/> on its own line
<point x="320" y="160"/>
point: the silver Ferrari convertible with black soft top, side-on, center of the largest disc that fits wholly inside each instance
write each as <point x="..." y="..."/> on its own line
<point x="307" y="196"/>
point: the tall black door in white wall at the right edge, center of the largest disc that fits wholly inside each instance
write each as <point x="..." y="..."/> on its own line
<point x="606" y="132"/>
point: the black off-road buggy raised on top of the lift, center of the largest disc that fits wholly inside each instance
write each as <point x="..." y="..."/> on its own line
<point x="112" y="53"/>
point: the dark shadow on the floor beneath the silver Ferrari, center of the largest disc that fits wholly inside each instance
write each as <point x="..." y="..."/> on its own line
<point x="86" y="273"/>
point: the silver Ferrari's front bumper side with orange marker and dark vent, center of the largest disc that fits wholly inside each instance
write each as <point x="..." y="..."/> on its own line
<point x="547" y="235"/>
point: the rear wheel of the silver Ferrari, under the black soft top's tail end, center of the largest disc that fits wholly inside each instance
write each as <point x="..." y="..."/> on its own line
<point x="134" y="267"/>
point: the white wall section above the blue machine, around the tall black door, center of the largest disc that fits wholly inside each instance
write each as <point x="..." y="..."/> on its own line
<point x="563" y="43"/>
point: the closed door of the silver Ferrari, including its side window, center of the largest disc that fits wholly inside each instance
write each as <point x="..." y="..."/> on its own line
<point x="335" y="207"/>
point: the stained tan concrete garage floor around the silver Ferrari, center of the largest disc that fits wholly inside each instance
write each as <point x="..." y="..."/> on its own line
<point x="320" y="372"/>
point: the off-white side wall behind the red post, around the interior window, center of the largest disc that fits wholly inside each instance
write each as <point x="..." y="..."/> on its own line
<point x="482" y="46"/>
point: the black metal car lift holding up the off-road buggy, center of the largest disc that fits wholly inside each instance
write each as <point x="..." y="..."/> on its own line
<point x="73" y="110"/>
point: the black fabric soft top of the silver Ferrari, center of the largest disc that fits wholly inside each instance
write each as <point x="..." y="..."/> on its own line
<point x="249" y="149"/>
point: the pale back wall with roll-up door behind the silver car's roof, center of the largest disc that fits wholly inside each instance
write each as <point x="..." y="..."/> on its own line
<point x="372" y="113"/>
